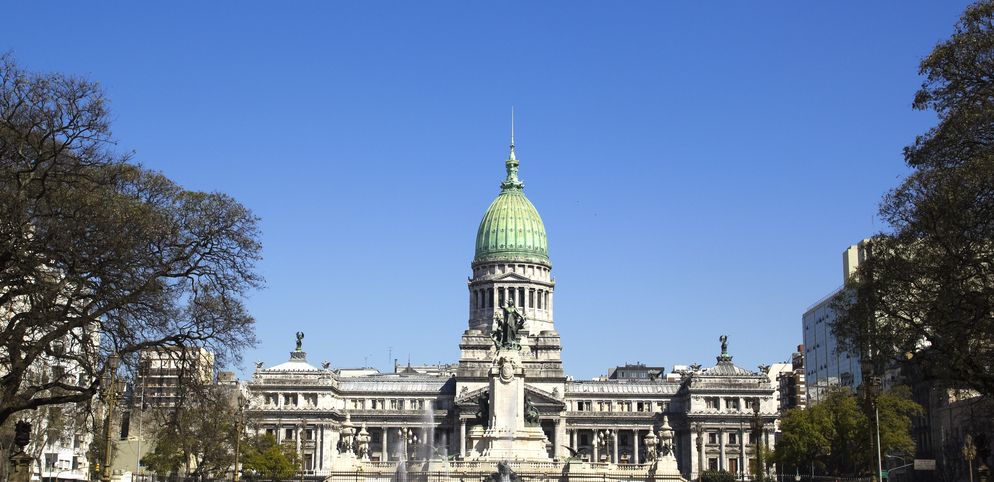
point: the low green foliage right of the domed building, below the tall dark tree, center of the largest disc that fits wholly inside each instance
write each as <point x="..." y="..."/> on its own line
<point x="836" y="433"/>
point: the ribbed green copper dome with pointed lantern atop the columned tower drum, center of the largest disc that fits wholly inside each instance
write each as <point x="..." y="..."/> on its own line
<point x="511" y="229"/>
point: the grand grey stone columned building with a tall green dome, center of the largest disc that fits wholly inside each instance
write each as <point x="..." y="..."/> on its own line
<point x="342" y="420"/>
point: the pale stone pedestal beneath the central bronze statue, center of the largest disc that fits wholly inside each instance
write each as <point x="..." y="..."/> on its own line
<point x="508" y="437"/>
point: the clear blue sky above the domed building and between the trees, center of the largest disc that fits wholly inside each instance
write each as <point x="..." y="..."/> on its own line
<point x="700" y="166"/>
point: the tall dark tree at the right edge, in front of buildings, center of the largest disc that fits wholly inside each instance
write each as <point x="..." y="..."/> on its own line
<point x="926" y="292"/>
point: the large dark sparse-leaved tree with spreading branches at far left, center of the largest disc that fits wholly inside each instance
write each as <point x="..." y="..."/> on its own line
<point x="99" y="255"/>
